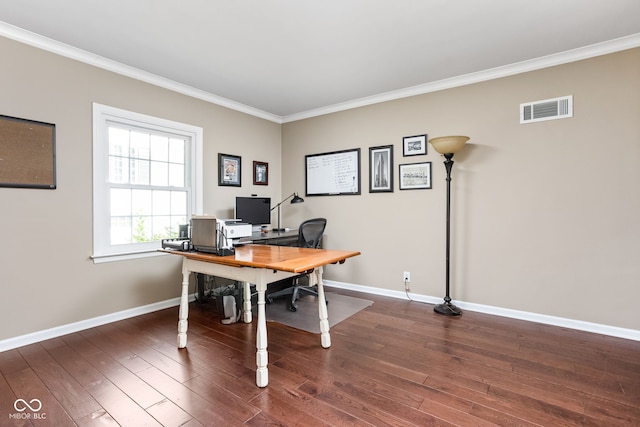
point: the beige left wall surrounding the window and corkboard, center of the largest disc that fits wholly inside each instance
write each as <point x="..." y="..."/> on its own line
<point x="46" y="276"/>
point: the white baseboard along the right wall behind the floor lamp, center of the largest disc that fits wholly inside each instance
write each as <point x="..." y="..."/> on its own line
<point x="613" y="331"/>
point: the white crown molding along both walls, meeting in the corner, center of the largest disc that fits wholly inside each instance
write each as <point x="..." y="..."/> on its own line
<point x="45" y="43"/>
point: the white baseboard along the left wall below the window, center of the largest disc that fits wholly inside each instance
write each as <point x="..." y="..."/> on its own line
<point x="58" y="331"/>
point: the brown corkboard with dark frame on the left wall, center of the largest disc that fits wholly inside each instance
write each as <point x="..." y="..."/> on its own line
<point x="27" y="153"/>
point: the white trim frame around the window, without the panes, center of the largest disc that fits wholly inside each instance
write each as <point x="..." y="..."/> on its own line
<point x="102" y="115"/>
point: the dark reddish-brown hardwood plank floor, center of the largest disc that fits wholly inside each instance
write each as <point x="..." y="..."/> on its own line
<point x="396" y="363"/>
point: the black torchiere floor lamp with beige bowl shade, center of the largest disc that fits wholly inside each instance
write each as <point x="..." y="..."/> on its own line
<point x="448" y="146"/>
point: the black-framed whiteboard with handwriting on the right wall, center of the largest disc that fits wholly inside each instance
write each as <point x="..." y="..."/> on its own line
<point x="333" y="174"/>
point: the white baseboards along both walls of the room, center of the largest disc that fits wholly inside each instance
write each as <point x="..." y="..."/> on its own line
<point x="631" y="334"/>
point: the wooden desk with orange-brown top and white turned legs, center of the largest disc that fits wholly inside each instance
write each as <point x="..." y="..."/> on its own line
<point x="260" y="265"/>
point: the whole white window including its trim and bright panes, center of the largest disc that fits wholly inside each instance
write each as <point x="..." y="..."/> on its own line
<point x="147" y="181"/>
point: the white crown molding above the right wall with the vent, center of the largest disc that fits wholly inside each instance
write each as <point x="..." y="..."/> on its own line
<point x="578" y="54"/>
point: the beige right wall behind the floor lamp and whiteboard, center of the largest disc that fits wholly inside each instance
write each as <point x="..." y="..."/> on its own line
<point x="546" y="216"/>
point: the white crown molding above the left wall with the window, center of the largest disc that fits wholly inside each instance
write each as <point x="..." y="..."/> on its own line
<point x="50" y="45"/>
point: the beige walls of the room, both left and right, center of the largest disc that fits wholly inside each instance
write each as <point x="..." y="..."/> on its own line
<point x="545" y="215"/>
